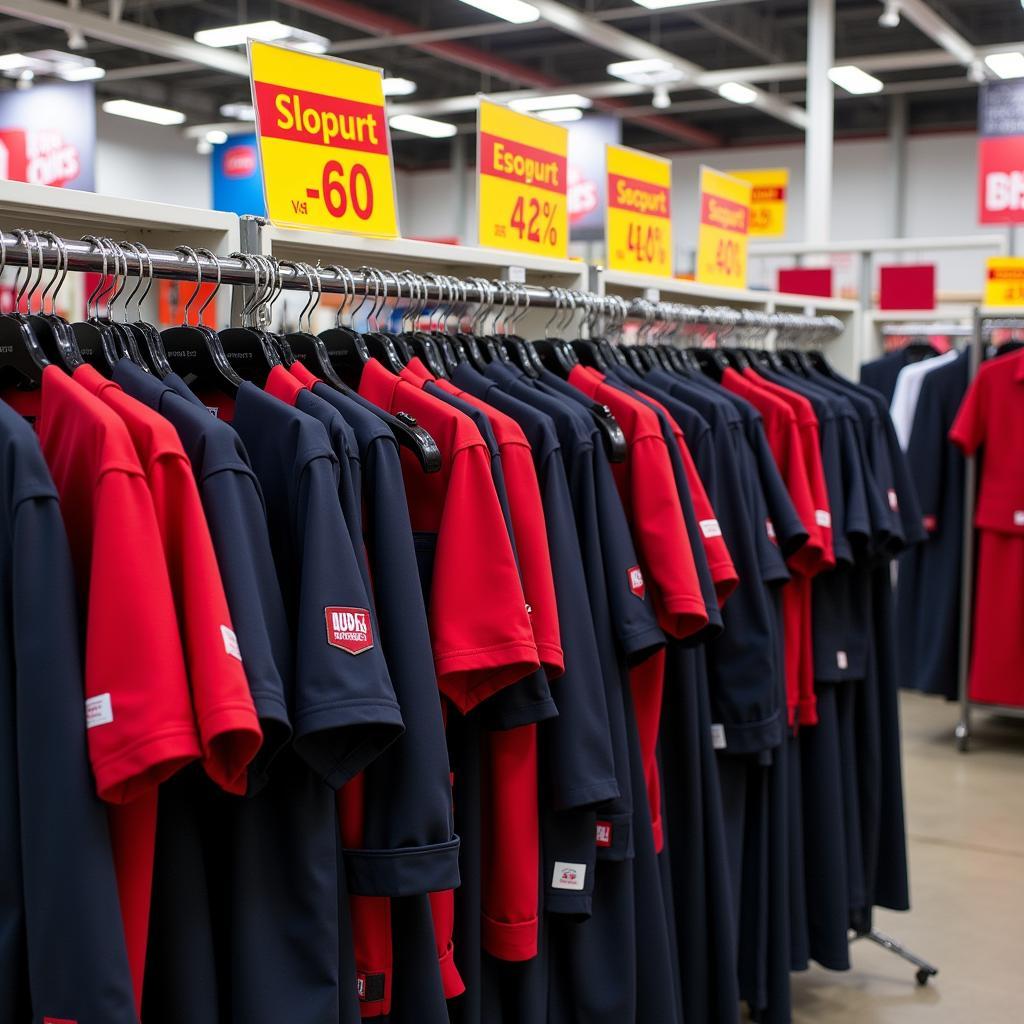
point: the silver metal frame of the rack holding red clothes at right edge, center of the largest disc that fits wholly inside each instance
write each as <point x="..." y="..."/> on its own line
<point x="983" y="327"/>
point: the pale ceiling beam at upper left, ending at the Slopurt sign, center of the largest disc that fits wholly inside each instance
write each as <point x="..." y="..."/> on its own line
<point x="127" y="34"/>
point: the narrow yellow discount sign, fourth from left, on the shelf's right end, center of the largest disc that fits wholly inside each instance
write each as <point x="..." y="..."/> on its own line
<point x="726" y="225"/>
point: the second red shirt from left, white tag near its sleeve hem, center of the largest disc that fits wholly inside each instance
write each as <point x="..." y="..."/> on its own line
<point x="225" y="712"/>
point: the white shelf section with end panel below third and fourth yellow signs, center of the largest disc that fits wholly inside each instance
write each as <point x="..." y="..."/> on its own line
<point x="842" y="351"/>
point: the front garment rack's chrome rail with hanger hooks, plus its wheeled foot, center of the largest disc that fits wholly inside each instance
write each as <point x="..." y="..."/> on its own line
<point x="503" y="300"/>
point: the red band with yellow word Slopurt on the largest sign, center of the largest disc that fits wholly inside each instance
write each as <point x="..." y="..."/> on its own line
<point x="301" y="116"/>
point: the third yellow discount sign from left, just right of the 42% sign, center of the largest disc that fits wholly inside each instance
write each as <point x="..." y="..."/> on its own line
<point x="639" y="212"/>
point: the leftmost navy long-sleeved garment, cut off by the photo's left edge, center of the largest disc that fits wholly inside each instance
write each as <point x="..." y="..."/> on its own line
<point x="62" y="945"/>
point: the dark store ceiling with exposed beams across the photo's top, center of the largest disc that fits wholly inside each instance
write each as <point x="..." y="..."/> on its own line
<point x="451" y="50"/>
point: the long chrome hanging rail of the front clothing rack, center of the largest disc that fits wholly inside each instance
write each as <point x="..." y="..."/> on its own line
<point x="48" y="251"/>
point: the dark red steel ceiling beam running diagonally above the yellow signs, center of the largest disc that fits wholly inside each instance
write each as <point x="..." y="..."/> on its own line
<point x="367" y="20"/>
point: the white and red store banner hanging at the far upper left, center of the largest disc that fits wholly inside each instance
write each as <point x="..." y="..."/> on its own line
<point x="49" y="136"/>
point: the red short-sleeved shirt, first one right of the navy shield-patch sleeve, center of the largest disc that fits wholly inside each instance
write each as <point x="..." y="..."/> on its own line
<point x="480" y="626"/>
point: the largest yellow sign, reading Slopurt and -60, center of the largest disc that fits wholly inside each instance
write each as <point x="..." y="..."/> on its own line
<point x="324" y="143"/>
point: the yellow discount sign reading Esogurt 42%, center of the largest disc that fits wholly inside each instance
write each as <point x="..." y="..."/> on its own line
<point x="522" y="183"/>
